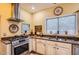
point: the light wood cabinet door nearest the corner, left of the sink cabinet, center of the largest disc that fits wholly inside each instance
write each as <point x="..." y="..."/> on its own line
<point x="41" y="46"/>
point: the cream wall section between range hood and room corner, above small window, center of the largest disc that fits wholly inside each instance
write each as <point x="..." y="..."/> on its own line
<point x="27" y="17"/>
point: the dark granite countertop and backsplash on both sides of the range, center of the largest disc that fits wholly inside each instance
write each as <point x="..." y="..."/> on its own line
<point x="61" y="38"/>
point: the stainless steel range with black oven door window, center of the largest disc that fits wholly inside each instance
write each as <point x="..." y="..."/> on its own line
<point x="19" y="45"/>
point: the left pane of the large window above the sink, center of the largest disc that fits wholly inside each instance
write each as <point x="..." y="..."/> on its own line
<point x="52" y="25"/>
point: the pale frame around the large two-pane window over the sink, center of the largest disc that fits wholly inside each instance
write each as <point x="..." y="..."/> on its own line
<point x="57" y="17"/>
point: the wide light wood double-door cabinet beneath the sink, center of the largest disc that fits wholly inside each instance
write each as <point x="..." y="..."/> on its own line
<point x="56" y="48"/>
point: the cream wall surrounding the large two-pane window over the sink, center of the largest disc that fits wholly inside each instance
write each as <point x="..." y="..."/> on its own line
<point x="40" y="17"/>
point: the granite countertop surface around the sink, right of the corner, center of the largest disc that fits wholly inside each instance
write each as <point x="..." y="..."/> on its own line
<point x="62" y="40"/>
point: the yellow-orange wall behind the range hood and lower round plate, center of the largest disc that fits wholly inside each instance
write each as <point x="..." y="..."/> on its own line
<point x="5" y="13"/>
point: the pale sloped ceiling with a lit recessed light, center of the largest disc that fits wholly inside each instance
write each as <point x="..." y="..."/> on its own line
<point x="37" y="6"/>
